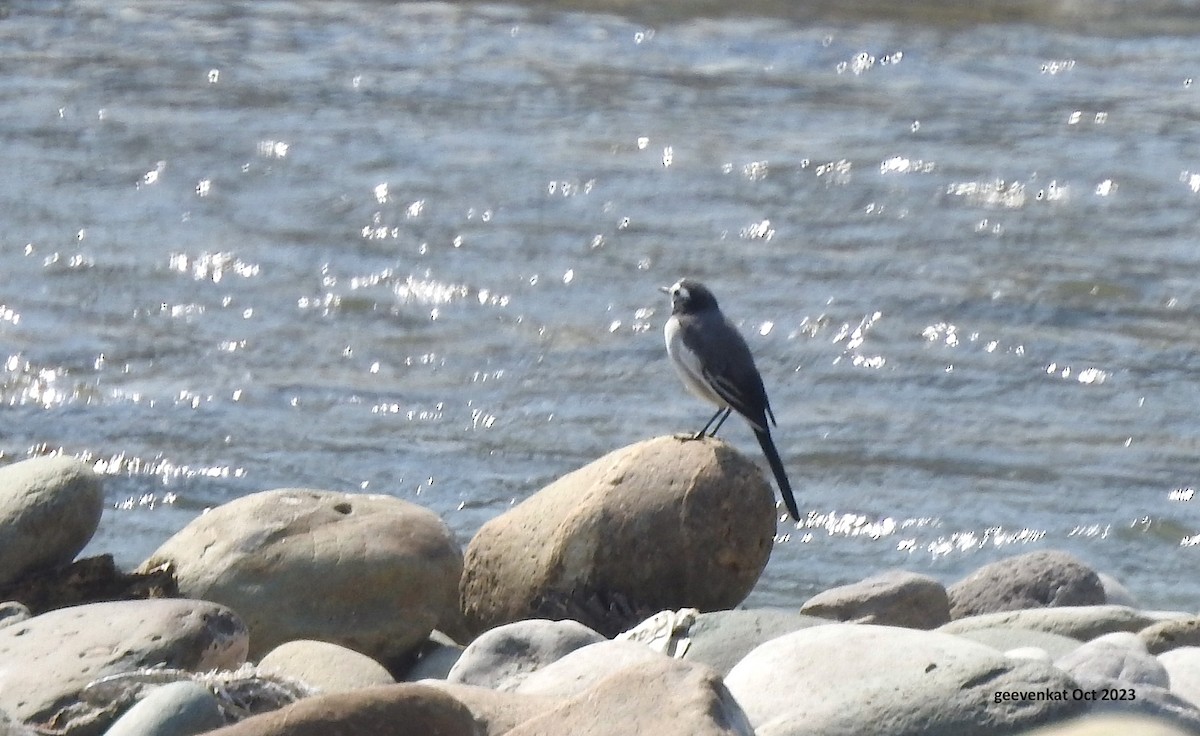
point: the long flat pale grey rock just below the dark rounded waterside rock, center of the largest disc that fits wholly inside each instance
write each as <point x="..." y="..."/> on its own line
<point x="1078" y="623"/>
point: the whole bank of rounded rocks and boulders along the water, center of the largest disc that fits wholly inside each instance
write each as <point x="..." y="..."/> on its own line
<point x="605" y="603"/>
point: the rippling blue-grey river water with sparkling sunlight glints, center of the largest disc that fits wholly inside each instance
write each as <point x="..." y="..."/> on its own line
<point x="415" y="249"/>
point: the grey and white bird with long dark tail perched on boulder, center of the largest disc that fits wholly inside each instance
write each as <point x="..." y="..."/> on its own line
<point x="715" y="363"/>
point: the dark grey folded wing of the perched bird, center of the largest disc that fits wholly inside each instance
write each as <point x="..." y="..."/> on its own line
<point x="729" y="369"/>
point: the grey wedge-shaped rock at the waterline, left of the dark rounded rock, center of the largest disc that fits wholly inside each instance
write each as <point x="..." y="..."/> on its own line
<point x="892" y="599"/>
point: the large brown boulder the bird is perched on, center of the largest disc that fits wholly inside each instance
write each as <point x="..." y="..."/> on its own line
<point x="662" y="525"/>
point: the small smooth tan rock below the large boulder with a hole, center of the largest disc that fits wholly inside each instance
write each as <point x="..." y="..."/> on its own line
<point x="325" y="667"/>
